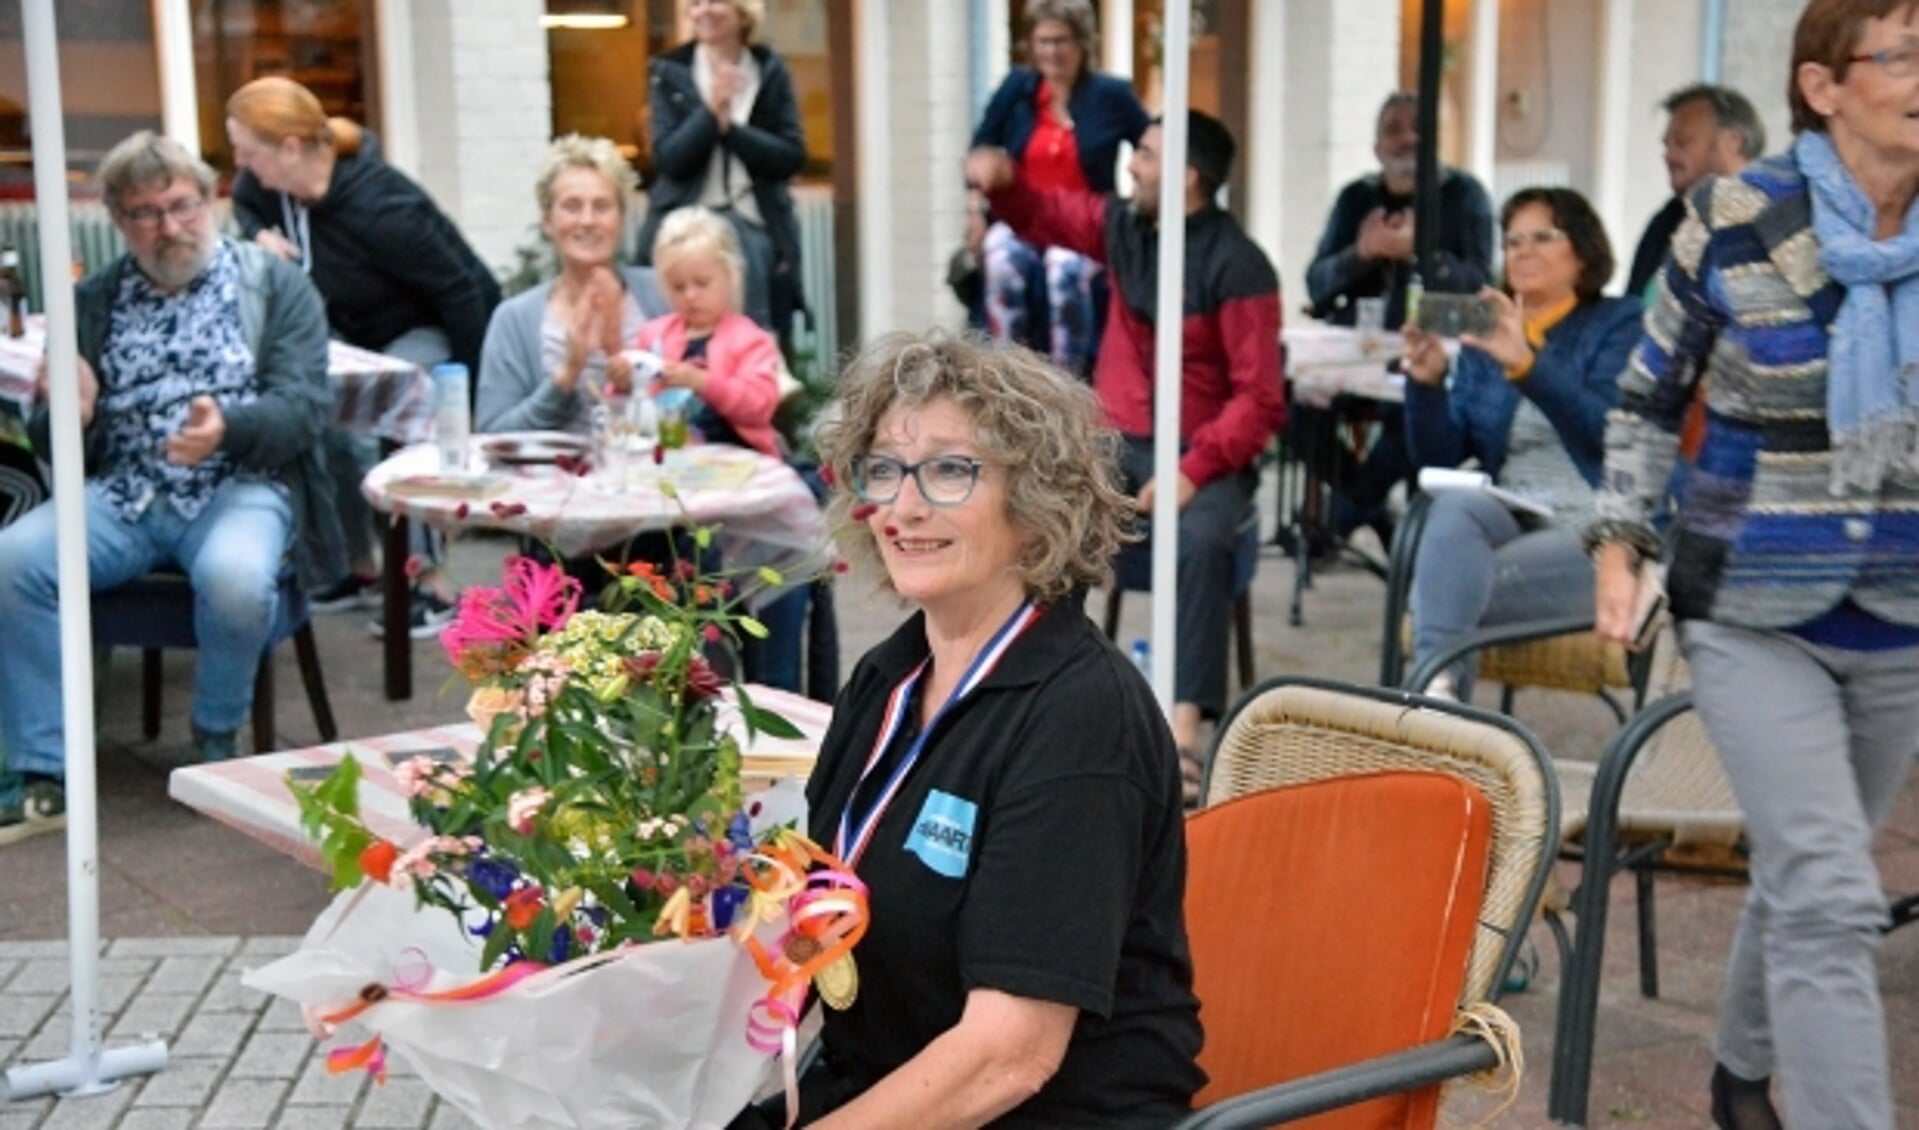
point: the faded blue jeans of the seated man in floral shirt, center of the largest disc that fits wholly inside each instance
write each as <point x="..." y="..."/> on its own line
<point x="231" y="553"/>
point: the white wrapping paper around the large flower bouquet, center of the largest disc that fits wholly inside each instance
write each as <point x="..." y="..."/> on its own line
<point x="648" y="1037"/>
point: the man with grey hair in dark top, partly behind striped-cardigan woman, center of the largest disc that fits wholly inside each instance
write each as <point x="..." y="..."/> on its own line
<point x="1711" y="131"/>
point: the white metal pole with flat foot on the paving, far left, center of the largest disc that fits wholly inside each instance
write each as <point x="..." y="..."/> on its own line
<point x="87" y="1070"/>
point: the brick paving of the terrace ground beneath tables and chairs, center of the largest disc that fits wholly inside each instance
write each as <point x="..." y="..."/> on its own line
<point x="189" y="905"/>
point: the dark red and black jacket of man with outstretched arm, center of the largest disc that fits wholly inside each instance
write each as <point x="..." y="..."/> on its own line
<point x="1231" y="392"/>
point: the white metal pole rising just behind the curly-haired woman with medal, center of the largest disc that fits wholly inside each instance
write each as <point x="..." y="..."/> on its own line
<point x="1168" y="333"/>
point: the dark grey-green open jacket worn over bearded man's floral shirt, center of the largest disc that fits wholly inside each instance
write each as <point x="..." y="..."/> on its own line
<point x="275" y="436"/>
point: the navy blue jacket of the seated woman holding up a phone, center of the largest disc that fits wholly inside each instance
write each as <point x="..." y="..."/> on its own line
<point x="1575" y="381"/>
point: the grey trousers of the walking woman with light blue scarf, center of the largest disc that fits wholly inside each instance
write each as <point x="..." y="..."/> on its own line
<point x="1816" y="743"/>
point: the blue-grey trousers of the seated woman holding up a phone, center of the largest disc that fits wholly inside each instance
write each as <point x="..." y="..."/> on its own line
<point x="1479" y="567"/>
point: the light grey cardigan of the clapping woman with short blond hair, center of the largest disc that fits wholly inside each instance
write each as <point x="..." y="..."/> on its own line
<point x="515" y="390"/>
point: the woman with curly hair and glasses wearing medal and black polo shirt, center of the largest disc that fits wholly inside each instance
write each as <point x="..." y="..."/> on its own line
<point x="997" y="772"/>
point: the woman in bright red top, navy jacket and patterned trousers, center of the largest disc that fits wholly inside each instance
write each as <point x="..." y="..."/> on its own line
<point x="1064" y="124"/>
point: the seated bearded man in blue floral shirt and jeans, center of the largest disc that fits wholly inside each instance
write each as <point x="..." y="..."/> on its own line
<point x="202" y="388"/>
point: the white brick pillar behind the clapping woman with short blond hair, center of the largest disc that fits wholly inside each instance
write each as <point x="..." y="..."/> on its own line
<point x="485" y="116"/>
